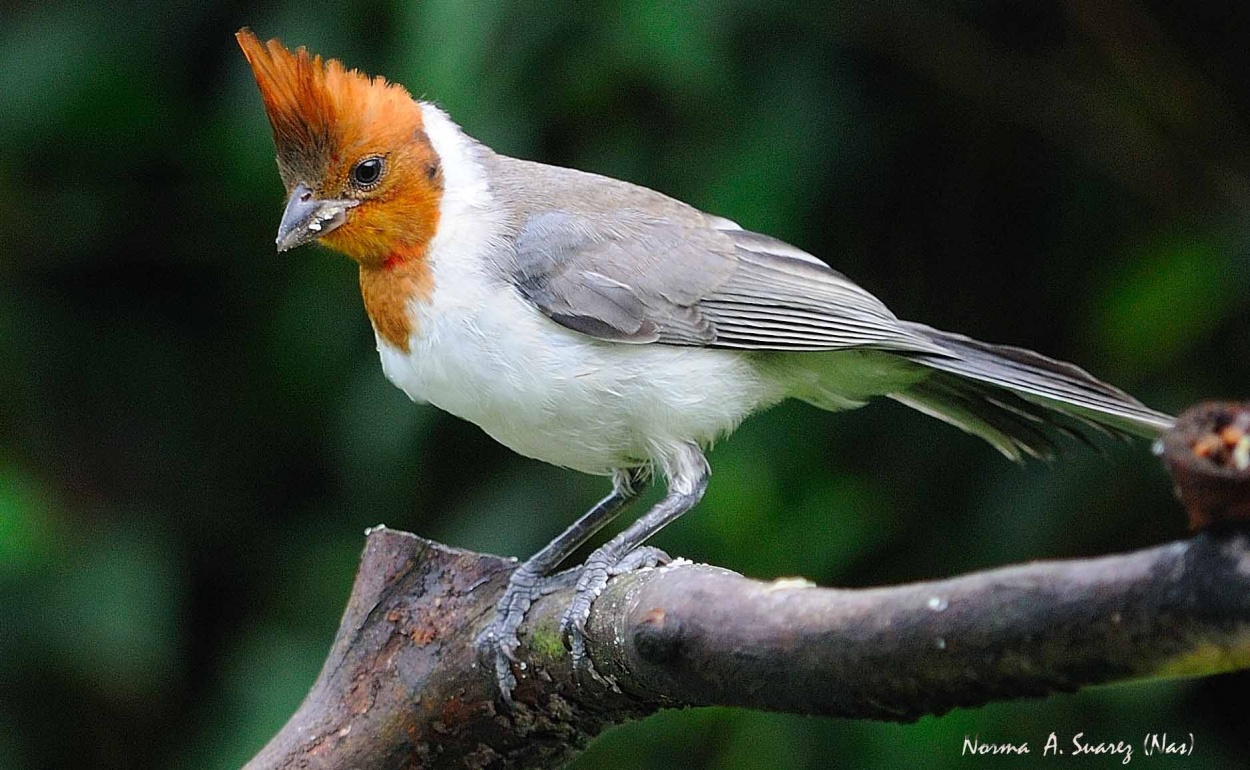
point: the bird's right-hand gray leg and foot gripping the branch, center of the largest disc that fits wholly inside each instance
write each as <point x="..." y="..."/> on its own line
<point x="687" y="486"/>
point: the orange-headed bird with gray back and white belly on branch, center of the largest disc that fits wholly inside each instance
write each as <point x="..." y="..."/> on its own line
<point x="607" y="328"/>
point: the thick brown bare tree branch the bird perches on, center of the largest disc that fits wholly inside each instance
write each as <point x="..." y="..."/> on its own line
<point x="403" y="687"/>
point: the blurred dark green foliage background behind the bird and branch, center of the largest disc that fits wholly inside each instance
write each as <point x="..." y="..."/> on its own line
<point x="196" y="432"/>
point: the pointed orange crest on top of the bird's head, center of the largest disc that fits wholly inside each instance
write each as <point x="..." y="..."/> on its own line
<point x="321" y="111"/>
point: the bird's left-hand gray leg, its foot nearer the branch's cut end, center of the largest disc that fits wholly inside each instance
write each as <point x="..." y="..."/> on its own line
<point x="526" y="584"/>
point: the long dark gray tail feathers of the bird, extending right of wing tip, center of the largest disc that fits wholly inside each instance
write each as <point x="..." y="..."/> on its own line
<point x="1019" y="401"/>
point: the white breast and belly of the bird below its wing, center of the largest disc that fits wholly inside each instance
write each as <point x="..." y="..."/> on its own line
<point x="564" y="398"/>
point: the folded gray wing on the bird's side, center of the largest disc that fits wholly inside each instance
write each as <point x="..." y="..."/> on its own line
<point x="636" y="279"/>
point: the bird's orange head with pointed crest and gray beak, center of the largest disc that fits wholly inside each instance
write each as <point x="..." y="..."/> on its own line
<point x="361" y="174"/>
